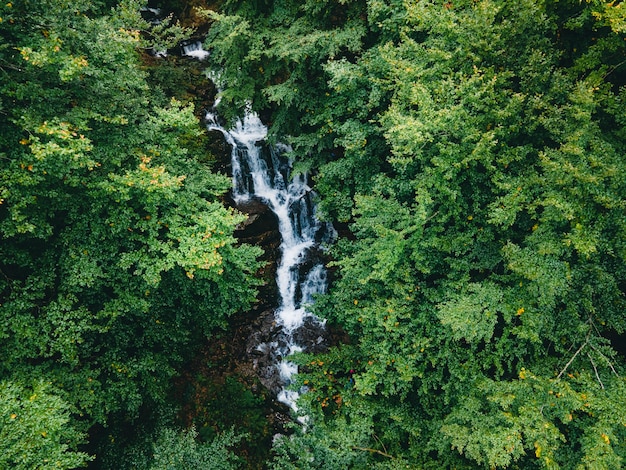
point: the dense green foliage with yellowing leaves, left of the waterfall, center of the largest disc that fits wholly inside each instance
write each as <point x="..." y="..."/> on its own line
<point x="117" y="257"/>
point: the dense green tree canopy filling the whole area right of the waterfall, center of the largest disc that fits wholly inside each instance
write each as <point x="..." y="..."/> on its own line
<point x="476" y="149"/>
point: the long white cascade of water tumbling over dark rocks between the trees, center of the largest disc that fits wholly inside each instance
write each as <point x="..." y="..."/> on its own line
<point x="261" y="172"/>
